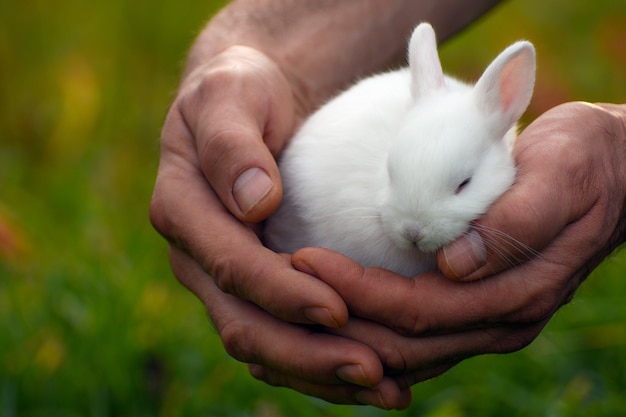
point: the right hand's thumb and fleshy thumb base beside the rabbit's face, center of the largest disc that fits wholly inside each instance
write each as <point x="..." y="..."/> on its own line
<point x="569" y="196"/>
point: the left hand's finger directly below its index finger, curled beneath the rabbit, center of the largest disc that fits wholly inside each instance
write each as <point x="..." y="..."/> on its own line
<point x="251" y="335"/>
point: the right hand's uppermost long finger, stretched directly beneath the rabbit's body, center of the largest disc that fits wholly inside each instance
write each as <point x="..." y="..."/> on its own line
<point x="428" y="304"/>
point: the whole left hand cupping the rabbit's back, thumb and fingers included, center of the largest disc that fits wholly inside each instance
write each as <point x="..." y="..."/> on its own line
<point x="229" y="120"/>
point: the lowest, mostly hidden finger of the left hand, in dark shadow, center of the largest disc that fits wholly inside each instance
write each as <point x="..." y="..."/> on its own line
<point x="387" y="395"/>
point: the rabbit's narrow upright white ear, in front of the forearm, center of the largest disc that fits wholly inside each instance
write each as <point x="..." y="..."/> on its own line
<point x="426" y="73"/>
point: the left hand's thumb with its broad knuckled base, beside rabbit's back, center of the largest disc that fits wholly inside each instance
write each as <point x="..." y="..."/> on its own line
<point x="240" y="111"/>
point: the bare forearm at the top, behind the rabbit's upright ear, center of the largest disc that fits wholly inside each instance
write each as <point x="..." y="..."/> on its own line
<point x="324" y="44"/>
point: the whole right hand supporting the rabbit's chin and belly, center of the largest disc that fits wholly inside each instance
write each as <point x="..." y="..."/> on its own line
<point x="536" y="244"/>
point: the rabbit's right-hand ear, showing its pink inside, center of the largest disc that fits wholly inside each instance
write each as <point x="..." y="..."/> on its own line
<point x="506" y="86"/>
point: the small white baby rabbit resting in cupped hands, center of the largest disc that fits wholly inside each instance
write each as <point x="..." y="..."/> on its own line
<point x="401" y="163"/>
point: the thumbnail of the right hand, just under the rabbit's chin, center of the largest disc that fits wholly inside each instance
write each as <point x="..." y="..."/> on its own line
<point x="465" y="255"/>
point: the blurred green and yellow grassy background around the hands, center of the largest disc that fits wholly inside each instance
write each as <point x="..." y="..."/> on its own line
<point x="92" y="322"/>
